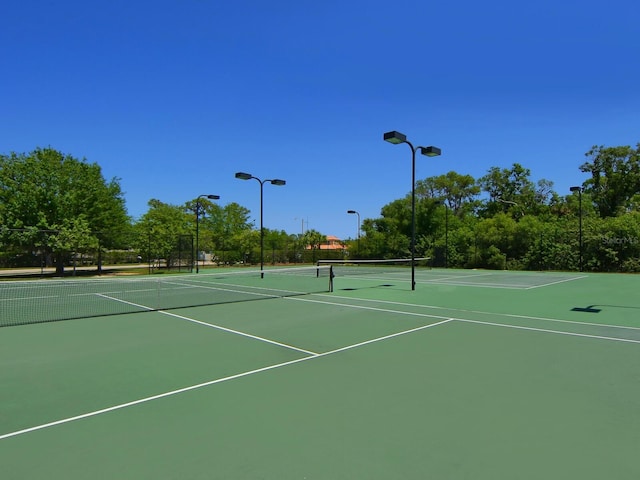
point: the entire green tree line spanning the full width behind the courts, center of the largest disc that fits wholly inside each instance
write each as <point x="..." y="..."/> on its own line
<point x="57" y="210"/>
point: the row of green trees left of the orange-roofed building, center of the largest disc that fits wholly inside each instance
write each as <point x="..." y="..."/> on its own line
<point x="57" y="210"/>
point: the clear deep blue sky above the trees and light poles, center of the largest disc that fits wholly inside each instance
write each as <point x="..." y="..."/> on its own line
<point x="175" y="96"/>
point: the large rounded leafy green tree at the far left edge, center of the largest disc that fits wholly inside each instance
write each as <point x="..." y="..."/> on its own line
<point x="48" y="190"/>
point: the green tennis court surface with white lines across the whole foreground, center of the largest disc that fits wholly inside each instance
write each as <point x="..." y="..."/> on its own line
<point x="474" y="375"/>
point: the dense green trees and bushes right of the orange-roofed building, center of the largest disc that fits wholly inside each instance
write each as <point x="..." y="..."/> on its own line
<point x="505" y="220"/>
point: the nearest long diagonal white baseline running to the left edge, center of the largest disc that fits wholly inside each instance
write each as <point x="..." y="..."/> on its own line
<point x="213" y="382"/>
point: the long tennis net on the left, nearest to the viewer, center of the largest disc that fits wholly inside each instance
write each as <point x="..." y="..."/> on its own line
<point x="25" y="302"/>
